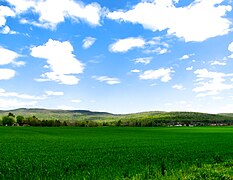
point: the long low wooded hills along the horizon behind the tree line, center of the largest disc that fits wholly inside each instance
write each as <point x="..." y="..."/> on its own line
<point x="158" y="117"/>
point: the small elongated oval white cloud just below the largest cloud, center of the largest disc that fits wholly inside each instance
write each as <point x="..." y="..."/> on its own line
<point x="124" y="45"/>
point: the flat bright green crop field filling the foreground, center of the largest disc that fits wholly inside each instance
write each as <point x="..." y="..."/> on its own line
<point x="116" y="153"/>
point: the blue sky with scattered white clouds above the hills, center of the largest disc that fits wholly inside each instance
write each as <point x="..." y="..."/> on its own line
<point x="117" y="56"/>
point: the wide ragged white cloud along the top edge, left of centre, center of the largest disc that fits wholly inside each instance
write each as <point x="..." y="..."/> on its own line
<point x="53" y="12"/>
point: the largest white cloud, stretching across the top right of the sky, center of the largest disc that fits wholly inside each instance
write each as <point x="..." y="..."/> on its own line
<point x="198" y="21"/>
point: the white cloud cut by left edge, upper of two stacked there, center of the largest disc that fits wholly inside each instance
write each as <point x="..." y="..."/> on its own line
<point x="7" y="56"/>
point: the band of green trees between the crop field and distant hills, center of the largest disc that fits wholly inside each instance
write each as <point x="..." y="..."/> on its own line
<point x="12" y="120"/>
